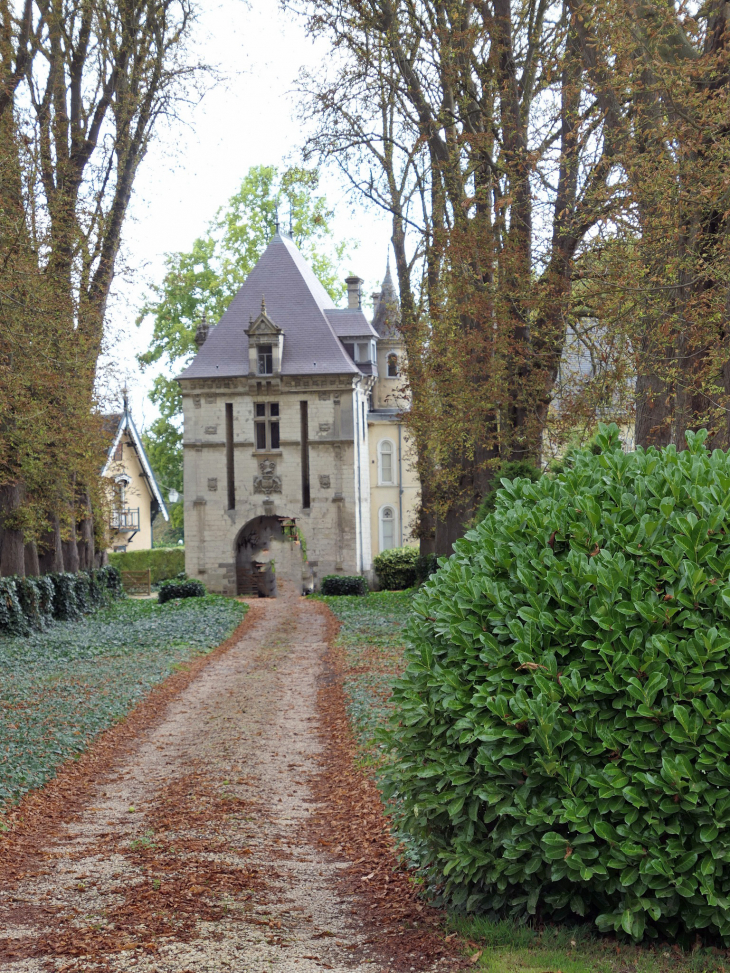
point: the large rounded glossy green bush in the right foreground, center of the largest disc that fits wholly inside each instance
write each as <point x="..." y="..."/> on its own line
<point x="561" y="743"/>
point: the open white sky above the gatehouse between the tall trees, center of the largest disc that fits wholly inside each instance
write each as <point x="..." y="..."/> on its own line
<point x="196" y="164"/>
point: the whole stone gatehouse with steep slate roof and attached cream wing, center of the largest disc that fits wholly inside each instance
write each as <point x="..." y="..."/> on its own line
<point x="279" y="463"/>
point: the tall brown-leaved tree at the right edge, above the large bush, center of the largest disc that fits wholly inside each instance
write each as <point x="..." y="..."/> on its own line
<point x="660" y="73"/>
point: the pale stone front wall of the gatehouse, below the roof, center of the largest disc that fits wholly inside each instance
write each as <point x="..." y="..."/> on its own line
<point x="329" y="526"/>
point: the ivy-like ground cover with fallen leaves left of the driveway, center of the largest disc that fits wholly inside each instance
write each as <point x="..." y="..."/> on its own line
<point x="61" y="687"/>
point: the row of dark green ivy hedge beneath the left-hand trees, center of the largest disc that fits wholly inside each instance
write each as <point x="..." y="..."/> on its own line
<point x="32" y="603"/>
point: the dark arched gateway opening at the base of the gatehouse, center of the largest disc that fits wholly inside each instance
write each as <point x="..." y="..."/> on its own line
<point x="268" y="549"/>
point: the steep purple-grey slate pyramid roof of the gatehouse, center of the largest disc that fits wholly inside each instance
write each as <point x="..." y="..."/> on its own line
<point x="295" y="301"/>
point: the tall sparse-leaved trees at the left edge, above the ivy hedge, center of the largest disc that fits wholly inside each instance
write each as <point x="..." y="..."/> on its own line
<point x="82" y="88"/>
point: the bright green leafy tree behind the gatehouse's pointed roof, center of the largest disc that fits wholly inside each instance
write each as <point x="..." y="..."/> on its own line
<point x="200" y="283"/>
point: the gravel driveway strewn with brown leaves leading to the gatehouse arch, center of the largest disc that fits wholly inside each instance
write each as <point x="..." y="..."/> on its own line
<point x="190" y="853"/>
